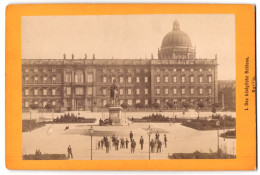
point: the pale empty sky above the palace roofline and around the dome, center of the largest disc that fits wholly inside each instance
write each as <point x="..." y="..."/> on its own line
<point x="128" y="37"/>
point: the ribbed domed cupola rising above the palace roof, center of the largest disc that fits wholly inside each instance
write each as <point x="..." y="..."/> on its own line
<point x="176" y="45"/>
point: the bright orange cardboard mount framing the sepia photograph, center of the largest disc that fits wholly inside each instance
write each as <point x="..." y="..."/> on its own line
<point x="246" y="119"/>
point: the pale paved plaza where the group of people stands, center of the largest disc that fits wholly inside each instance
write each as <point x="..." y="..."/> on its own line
<point x="53" y="139"/>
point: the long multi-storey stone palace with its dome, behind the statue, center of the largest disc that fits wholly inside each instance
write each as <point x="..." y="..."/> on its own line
<point x="84" y="84"/>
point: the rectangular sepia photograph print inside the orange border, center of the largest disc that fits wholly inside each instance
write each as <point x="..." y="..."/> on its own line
<point x="128" y="87"/>
